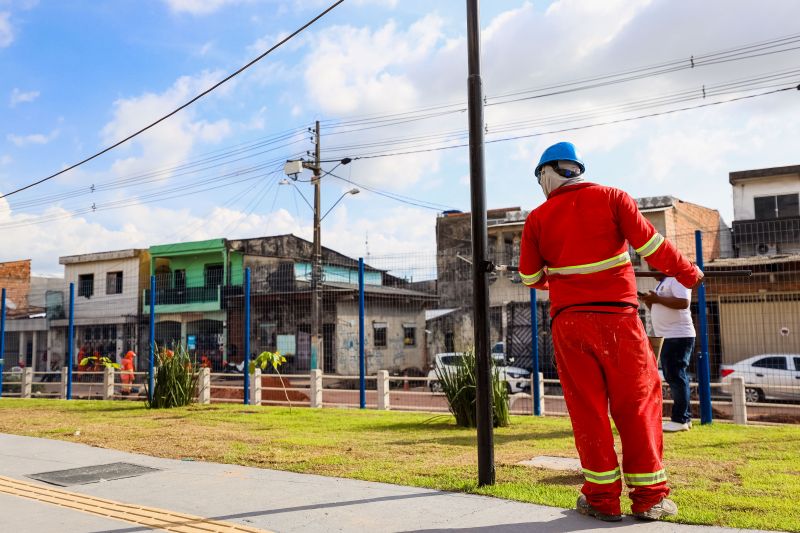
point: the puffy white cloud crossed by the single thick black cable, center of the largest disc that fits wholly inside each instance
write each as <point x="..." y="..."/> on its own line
<point x="171" y="141"/>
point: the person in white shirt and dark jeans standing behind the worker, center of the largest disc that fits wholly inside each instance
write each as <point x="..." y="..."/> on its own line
<point x="671" y="319"/>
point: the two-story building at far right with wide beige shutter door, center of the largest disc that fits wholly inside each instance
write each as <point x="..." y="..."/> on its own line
<point x="761" y="313"/>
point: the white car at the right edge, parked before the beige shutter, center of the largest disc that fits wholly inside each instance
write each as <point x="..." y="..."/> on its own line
<point x="766" y="377"/>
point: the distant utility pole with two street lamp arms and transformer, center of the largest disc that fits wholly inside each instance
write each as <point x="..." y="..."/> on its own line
<point x="293" y="168"/>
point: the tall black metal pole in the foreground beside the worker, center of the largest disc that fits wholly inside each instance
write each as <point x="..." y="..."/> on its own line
<point x="480" y="263"/>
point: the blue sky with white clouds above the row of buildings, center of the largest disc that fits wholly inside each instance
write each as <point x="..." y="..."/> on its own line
<point x="79" y="75"/>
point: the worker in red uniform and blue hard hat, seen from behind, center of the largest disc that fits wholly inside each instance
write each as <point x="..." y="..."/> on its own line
<point x="576" y="245"/>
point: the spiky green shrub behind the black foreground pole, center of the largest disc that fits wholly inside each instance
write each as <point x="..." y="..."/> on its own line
<point x="460" y="387"/>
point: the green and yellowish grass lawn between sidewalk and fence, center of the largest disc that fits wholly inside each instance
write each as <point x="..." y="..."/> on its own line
<point x="721" y="474"/>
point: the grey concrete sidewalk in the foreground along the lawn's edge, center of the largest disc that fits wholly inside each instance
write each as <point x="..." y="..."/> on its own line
<point x="268" y="499"/>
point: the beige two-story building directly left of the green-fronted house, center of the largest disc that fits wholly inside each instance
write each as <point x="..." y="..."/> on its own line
<point x="108" y="288"/>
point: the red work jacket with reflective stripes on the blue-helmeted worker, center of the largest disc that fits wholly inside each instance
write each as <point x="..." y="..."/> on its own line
<point x="576" y="245"/>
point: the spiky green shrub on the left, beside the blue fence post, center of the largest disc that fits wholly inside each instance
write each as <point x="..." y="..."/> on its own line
<point x="175" y="380"/>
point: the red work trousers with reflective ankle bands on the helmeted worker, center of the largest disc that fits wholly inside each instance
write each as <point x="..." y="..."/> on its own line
<point x="605" y="359"/>
